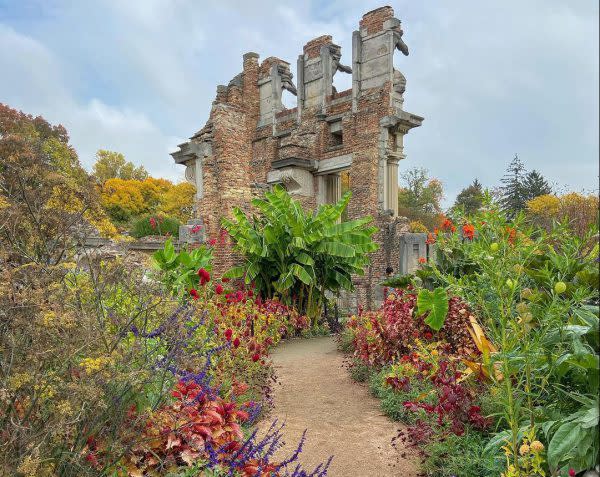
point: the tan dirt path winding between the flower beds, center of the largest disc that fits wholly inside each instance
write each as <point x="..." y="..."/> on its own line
<point x="315" y="392"/>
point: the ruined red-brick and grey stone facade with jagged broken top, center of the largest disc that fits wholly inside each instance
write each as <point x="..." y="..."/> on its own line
<point x="331" y="142"/>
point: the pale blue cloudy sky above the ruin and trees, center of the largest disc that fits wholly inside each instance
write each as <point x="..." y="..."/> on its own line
<point x="491" y="78"/>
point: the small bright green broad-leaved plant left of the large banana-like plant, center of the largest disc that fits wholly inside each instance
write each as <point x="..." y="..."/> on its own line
<point x="179" y="270"/>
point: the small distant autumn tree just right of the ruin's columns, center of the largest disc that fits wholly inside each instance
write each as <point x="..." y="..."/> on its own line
<point x="420" y="196"/>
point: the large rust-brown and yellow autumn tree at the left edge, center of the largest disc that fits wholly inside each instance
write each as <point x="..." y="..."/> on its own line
<point x="48" y="199"/>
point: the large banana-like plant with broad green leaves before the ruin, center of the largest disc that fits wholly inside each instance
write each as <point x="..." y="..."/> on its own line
<point x="299" y="255"/>
